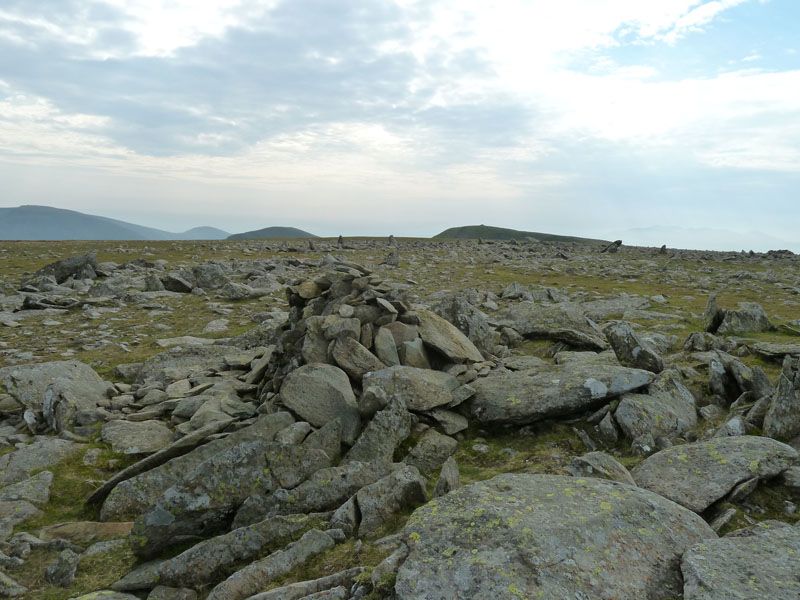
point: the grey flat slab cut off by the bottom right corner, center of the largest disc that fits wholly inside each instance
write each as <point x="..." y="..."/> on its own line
<point x="758" y="562"/>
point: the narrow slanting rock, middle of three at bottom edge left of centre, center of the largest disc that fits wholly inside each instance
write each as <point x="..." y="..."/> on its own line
<point x="251" y="579"/>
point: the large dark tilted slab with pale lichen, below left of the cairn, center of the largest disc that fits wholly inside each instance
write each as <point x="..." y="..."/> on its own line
<point x="206" y="501"/>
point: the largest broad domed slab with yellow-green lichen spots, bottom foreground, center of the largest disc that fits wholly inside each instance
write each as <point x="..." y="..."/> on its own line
<point x="547" y="536"/>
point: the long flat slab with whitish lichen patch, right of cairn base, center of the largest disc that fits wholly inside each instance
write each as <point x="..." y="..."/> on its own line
<point x="527" y="396"/>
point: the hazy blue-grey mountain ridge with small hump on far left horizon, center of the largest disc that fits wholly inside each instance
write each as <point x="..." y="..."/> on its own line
<point x="32" y="222"/>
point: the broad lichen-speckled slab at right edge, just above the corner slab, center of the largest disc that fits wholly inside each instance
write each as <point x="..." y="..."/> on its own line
<point x="697" y="475"/>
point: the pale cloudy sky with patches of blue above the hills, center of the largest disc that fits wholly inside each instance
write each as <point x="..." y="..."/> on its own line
<point x="654" y="121"/>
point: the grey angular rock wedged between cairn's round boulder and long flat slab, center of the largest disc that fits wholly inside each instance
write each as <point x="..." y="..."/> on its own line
<point x="420" y="389"/>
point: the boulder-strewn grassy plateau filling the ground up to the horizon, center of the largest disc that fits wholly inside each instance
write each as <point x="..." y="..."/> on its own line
<point x="409" y="419"/>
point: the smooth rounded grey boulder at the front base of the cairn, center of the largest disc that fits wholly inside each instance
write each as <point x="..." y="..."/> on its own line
<point x="320" y="393"/>
